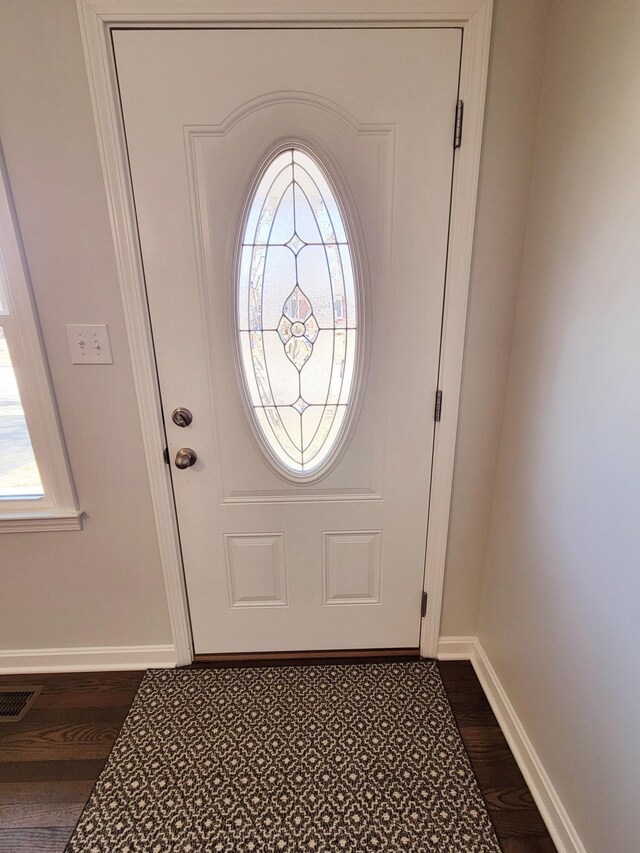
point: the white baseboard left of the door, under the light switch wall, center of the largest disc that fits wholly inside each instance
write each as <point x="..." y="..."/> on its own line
<point x="86" y="659"/>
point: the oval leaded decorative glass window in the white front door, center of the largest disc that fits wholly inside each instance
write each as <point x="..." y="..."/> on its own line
<point x="297" y="313"/>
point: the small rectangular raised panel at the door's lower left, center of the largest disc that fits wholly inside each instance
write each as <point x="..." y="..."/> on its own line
<point x="256" y="569"/>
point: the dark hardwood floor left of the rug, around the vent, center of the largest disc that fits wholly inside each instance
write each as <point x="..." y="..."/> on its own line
<point x="50" y="760"/>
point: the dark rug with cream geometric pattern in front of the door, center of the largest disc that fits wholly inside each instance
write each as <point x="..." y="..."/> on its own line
<point x="363" y="757"/>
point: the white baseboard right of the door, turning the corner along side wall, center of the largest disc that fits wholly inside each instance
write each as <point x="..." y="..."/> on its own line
<point x="553" y="812"/>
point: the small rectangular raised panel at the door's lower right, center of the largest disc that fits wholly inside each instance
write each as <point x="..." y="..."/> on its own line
<point x="352" y="563"/>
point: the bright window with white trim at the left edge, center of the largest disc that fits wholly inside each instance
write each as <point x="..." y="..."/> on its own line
<point x="36" y="492"/>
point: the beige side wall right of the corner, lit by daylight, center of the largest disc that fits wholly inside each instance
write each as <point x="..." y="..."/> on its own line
<point x="560" y="616"/>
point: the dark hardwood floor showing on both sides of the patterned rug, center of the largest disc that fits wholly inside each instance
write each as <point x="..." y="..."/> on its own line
<point x="50" y="760"/>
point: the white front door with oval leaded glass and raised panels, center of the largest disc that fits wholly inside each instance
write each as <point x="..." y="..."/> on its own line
<point x="292" y="189"/>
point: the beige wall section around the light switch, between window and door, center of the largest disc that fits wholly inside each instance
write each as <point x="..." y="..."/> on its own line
<point x="103" y="585"/>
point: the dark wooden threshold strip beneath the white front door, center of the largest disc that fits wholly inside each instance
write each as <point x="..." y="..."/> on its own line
<point x="305" y="658"/>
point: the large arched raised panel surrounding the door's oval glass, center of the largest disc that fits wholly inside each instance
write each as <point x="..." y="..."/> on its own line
<point x="361" y="160"/>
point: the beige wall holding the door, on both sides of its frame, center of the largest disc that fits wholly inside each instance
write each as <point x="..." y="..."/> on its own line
<point x="104" y="586"/>
